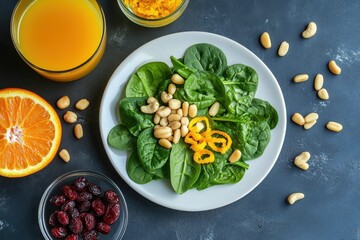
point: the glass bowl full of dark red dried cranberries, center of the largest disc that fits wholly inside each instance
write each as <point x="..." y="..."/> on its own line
<point x="83" y="205"/>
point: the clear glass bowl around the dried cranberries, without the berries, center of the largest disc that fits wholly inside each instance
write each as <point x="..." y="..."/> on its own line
<point x="105" y="183"/>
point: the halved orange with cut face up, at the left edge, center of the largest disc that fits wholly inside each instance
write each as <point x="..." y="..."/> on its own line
<point x="30" y="132"/>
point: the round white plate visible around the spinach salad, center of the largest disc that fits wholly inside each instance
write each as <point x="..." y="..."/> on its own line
<point x="160" y="191"/>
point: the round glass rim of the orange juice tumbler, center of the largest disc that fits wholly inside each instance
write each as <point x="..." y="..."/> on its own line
<point x="13" y="32"/>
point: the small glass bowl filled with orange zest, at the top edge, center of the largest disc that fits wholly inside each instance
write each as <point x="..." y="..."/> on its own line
<point x="153" y="13"/>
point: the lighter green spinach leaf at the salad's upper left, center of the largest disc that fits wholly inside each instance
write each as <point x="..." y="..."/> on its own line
<point x="145" y="81"/>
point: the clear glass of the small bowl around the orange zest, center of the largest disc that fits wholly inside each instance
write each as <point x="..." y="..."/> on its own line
<point x="159" y="22"/>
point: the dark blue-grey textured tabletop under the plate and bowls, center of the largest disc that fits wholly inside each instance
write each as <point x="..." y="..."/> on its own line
<point x="330" y="210"/>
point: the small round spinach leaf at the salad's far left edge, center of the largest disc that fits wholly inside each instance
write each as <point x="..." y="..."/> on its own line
<point x="120" y="137"/>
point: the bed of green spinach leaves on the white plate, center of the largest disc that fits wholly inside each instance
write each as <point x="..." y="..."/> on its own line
<point x="207" y="80"/>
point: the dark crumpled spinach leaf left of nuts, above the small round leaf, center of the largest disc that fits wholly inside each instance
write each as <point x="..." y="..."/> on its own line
<point x="132" y="117"/>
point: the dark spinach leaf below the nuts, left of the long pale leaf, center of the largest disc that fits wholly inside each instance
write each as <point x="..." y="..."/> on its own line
<point x="151" y="155"/>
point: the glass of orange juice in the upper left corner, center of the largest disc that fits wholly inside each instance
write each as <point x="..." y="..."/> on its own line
<point x="63" y="40"/>
